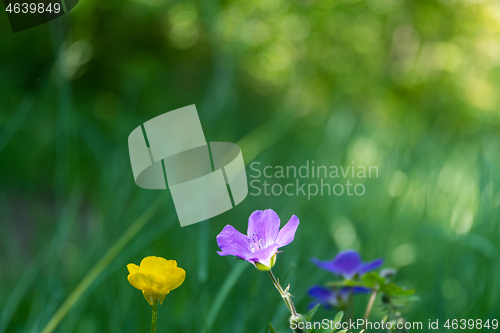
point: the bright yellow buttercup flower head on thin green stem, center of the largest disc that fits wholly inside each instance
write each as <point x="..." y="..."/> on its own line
<point x="156" y="277"/>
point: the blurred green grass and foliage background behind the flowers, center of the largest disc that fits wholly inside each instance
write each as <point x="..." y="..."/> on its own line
<point x="409" y="86"/>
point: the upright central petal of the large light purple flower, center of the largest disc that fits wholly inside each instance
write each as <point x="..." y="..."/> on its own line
<point x="264" y="226"/>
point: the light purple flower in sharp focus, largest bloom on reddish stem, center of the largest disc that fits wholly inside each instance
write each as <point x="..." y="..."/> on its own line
<point x="262" y="241"/>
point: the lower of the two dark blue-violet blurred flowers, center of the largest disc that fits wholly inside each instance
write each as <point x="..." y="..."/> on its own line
<point x="334" y="297"/>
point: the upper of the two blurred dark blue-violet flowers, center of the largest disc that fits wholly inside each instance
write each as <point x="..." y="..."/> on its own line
<point x="348" y="264"/>
